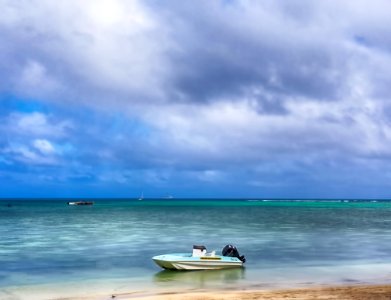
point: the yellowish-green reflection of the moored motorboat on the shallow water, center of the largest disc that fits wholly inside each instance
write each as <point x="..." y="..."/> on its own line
<point x="200" y="278"/>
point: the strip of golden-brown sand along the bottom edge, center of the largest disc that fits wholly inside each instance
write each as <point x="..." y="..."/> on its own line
<point x="347" y="292"/>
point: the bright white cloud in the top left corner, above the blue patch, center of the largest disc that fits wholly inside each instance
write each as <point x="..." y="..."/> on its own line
<point x="78" y="47"/>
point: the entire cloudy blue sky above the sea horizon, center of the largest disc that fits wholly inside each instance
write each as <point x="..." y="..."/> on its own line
<point x="223" y="98"/>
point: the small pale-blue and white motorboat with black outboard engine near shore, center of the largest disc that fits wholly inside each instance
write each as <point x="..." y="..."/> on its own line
<point x="201" y="260"/>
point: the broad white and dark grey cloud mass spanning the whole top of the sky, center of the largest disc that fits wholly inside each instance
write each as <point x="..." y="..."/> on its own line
<point x="127" y="53"/>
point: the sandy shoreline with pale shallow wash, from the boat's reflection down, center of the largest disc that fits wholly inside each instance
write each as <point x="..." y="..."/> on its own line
<point x="365" y="281"/>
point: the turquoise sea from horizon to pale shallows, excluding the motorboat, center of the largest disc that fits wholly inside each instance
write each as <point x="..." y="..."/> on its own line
<point x="45" y="242"/>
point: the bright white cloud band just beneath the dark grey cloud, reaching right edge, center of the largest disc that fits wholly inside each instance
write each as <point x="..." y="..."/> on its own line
<point x="227" y="133"/>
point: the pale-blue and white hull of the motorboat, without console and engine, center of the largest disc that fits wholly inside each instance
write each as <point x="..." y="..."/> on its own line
<point x="180" y="261"/>
